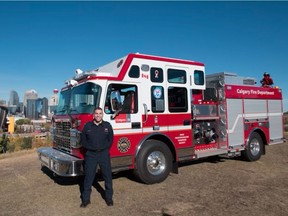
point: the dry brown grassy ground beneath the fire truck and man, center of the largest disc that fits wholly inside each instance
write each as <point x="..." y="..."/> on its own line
<point x="207" y="187"/>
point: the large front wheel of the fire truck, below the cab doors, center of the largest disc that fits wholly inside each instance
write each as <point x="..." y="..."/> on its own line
<point x="153" y="162"/>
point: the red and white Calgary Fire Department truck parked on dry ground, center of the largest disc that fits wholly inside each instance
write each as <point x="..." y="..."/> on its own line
<point x="163" y="111"/>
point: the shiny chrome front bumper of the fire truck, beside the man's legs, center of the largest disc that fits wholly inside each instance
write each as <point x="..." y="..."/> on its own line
<point x="60" y="163"/>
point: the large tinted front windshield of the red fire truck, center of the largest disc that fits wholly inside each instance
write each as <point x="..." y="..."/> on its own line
<point x="79" y="100"/>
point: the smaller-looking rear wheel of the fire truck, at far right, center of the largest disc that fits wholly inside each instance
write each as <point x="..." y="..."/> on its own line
<point x="254" y="148"/>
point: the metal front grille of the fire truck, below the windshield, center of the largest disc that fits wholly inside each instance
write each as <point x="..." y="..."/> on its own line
<point x="62" y="136"/>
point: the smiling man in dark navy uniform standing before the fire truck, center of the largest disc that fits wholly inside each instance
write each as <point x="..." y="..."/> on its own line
<point x="97" y="138"/>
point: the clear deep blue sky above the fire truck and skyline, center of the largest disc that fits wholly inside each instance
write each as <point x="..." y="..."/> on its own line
<point x="42" y="43"/>
